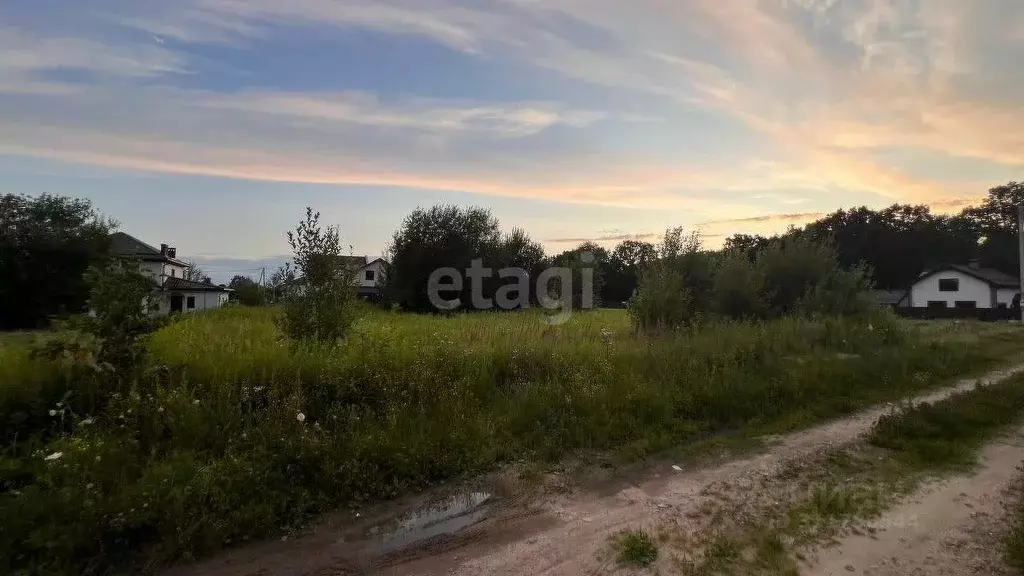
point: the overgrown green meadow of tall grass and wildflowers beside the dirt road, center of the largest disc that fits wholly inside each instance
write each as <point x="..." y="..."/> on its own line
<point x="232" y="432"/>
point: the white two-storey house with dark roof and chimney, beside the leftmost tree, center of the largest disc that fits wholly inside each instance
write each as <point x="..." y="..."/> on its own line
<point x="174" y="293"/>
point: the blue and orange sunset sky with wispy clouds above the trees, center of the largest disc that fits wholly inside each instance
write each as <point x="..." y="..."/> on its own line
<point x="211" y="125"/>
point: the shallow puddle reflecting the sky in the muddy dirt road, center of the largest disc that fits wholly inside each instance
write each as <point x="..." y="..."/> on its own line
<point x="446" y="517"/>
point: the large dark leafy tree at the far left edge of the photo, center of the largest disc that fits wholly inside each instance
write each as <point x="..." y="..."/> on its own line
<point x="47" y="244"/>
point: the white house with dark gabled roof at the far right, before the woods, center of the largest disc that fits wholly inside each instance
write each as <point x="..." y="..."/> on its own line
<point x="965" y="287"/>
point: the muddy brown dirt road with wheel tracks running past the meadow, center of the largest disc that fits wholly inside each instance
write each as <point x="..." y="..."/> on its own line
<point x="570" y="534"/>
